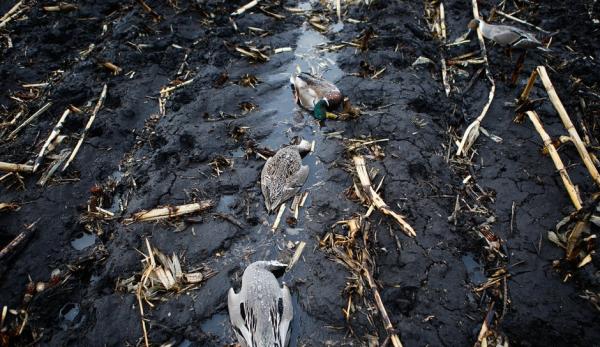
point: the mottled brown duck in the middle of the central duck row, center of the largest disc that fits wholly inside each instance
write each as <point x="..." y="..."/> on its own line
<point x="283" y="175"/>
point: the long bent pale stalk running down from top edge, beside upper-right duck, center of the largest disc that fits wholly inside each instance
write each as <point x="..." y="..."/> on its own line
<point x="472" y="132"/>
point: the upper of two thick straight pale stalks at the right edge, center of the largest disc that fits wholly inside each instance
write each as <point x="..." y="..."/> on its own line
<point x="585" y="156"/>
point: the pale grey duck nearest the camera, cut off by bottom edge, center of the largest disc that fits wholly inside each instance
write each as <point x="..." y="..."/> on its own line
<point x="262" y="311"/>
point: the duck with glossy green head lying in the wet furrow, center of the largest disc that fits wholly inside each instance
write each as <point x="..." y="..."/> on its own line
<point x="316" y="94"/>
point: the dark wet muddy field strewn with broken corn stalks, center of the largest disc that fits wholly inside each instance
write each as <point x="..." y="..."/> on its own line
<point x="200" y="142"/>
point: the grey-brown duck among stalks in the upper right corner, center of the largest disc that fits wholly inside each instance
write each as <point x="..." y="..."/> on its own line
<point x="507" y="36"/>
